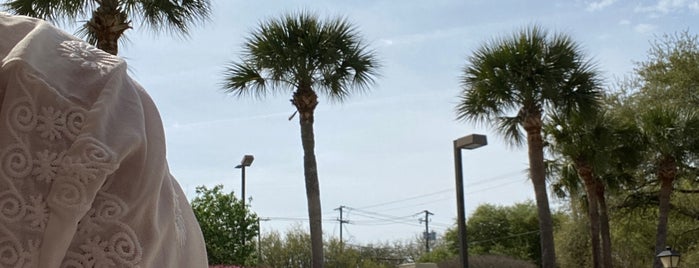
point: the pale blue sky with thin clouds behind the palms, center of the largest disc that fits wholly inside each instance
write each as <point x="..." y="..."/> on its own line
<point x="384" y="155"/>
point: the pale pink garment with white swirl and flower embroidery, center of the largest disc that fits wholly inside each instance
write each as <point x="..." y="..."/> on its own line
<point x="83" y="177"/>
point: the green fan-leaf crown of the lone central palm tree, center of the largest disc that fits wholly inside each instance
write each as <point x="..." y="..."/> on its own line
<point x="302" y="51"/>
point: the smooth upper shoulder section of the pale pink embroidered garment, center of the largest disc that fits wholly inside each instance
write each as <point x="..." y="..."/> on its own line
<point x="68" y="66"/>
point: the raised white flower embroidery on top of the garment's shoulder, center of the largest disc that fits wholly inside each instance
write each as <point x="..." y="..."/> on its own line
<point x="88" y="56"/>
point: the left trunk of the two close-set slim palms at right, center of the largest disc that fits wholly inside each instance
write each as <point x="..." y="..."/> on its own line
<point x="586" y="174"/>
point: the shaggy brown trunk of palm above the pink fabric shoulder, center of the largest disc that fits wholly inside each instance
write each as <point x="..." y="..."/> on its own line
<point x="107" y="25"/>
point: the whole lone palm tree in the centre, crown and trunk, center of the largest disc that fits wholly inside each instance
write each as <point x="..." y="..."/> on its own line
<point x="302" y="55"/>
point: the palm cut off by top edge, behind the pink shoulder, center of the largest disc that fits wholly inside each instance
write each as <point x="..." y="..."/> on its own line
<point x="110" y="18"/>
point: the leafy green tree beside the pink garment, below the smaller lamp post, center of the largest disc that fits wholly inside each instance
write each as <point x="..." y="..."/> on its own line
<point x="229" y="227"/>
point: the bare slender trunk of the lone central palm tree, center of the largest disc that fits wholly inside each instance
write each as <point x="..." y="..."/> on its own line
<point x="305" y="101"/>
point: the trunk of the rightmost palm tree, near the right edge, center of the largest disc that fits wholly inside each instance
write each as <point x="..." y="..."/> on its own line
<point x="666" y="174"/>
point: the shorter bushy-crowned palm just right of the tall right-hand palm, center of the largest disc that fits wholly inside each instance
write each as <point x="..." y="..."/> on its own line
<point x="596" y="151"/>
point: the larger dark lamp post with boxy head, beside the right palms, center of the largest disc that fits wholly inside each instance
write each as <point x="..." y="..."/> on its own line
<point x="469" y="142"/>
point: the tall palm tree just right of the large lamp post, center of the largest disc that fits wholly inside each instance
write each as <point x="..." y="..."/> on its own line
<point x="511" y="84"/>
